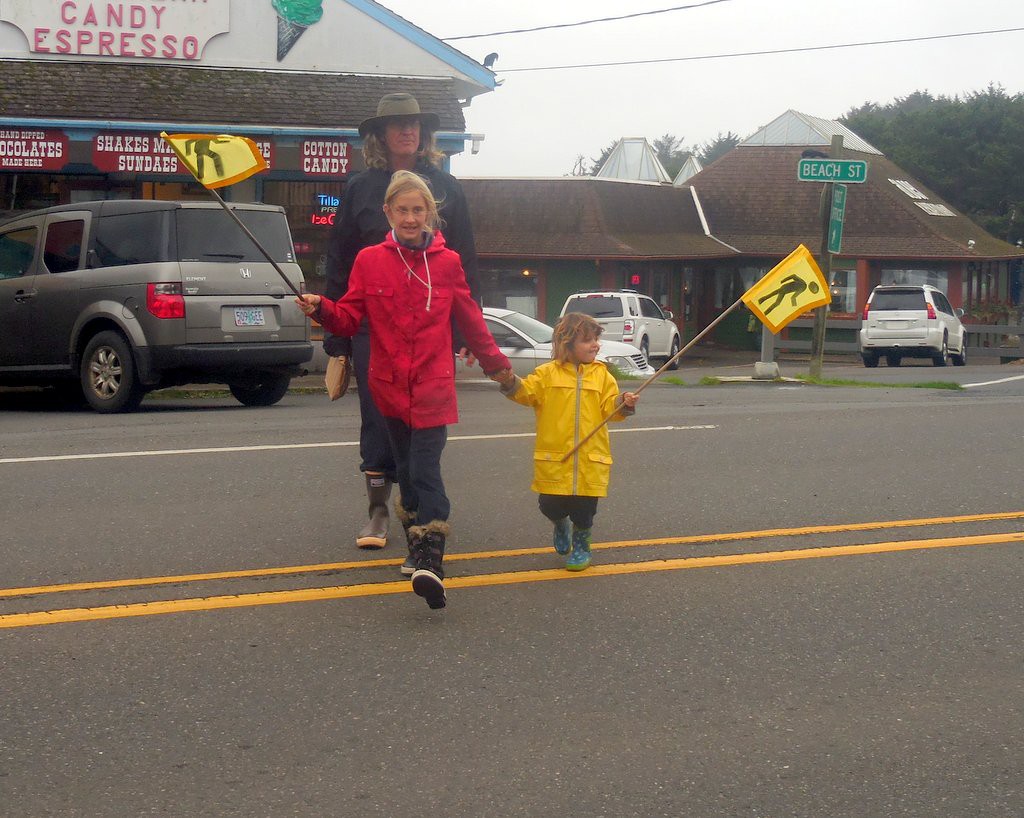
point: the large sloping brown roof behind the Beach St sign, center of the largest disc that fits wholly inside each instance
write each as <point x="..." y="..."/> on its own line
<point x="753" y="201"/>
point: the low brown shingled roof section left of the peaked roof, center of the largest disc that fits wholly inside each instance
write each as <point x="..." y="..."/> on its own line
<point x="587" y="219"/>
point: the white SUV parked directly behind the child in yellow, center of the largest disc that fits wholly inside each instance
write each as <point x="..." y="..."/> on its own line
<point x="631" y="318"/>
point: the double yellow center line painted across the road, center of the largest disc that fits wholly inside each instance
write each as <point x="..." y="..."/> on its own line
<point x="487" y="580"/>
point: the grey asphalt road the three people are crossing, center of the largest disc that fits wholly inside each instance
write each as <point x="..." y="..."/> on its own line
<point x="806" y="601"/>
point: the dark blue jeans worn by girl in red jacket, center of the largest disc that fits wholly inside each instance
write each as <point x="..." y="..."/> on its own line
<point x="418" y="463"/>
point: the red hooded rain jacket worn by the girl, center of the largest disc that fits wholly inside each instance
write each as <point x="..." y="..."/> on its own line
<point x="412" y="367"/>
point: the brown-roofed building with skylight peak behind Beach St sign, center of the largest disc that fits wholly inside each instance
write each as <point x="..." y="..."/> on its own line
<point x="696" y="248"/>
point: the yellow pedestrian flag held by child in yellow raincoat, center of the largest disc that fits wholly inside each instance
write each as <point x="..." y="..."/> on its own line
<point x="789" y="290"/>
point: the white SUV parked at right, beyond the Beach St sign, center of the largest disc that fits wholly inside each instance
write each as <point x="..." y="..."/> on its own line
<point x="912" y="321"/>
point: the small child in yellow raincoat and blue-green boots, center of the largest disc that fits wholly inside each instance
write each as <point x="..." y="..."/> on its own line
<point x="571" y="396"/>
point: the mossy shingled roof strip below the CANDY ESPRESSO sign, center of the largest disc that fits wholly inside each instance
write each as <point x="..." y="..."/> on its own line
<point x="113" y="92"/>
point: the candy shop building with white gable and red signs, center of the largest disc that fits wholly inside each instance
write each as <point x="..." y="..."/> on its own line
<point x="89" y="88"/>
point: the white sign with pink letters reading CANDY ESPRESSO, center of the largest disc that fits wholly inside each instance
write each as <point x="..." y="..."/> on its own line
<point x="158" y="29"/>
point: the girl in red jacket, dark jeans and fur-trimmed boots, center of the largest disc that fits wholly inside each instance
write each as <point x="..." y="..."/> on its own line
<point x="410" y="288"/>
